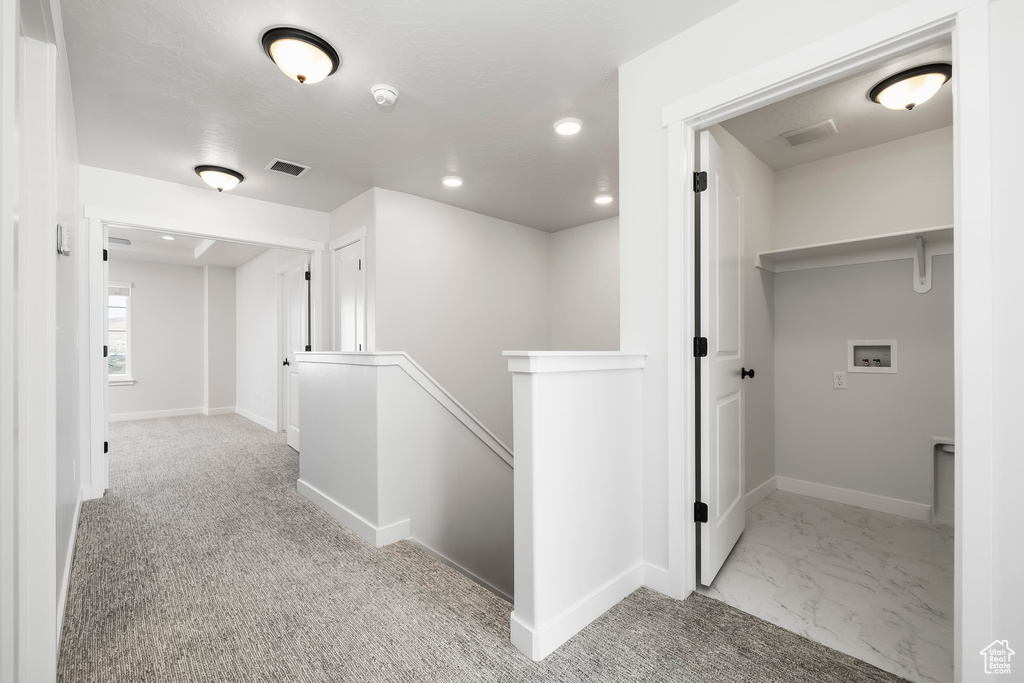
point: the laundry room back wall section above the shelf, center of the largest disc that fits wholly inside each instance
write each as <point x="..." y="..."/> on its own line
<point x="901" y="186"/>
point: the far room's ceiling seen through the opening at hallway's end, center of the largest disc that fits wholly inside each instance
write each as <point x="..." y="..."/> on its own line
<point x="150" y="246"/>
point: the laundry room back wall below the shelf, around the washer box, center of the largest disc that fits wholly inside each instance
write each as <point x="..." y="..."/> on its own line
<point x="876" y="437"/>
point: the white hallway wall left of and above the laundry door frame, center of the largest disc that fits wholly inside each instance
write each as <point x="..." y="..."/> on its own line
<point x="757" y="33"/>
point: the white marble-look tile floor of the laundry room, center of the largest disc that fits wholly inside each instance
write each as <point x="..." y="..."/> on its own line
<point x="876" y="586"/>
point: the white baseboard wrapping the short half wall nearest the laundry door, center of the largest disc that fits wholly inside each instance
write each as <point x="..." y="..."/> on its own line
<point x="539" y="643"/>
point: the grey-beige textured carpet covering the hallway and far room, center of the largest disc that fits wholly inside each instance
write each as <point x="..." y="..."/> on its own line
<point x="203" y="564"/>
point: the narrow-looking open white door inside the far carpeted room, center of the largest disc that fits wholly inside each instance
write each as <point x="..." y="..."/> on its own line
<point x="294" y="316"/>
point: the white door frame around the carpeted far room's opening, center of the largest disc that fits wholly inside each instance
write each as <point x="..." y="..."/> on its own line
<point x="98" y="220"/>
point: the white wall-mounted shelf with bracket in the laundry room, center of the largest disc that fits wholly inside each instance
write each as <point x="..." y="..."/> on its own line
<point x="892" y="247"/>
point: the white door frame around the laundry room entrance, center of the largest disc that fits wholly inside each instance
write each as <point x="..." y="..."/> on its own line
<point x="899" y="31"/>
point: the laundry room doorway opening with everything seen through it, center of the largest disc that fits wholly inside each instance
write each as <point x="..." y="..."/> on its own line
<point x="826" y="296"/>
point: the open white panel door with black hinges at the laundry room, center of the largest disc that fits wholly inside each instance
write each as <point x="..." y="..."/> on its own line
<point x="721" y="386"/>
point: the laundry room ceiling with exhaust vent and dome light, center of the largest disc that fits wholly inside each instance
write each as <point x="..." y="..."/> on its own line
<point x="862" y="123"/>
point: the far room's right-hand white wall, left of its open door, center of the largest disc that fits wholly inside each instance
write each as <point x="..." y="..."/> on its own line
<point x="258" y="345"/>
